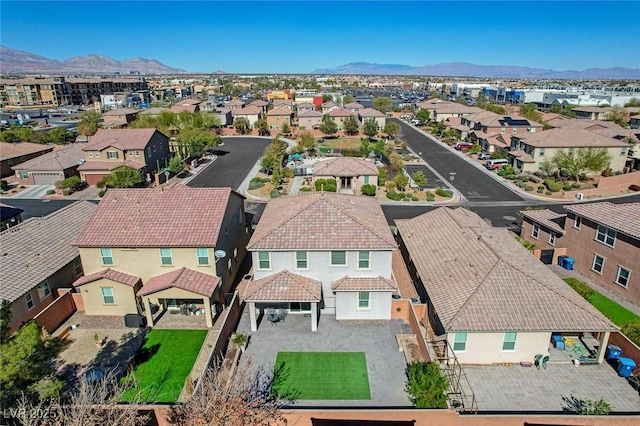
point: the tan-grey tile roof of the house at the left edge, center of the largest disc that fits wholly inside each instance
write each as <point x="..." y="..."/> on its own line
<point x="38" y="247"/>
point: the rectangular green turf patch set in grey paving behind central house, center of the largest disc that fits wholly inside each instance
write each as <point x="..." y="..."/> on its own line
<point x="322" y="375"/>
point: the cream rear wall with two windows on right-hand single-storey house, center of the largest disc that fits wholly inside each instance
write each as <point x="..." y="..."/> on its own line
<point x="486" y="348"/>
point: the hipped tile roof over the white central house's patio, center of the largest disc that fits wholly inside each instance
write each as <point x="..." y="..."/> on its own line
<point x="283" y="286"/>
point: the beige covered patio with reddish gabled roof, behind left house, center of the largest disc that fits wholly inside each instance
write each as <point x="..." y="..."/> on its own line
<point x="182" y="291"/>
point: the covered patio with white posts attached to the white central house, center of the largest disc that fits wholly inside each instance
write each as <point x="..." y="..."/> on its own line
<point x="274" y="296"/>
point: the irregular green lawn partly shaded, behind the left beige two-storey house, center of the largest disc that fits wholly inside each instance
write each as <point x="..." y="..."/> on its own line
<point x="165" y="360"/>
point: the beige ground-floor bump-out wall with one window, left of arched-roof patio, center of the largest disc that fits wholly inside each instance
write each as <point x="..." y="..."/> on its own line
<point x="125" y="298"/>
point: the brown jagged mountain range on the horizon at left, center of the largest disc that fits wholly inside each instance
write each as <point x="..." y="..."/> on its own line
<point x="16" y="61"/>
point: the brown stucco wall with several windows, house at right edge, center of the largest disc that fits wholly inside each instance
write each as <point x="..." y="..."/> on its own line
<point x="582" y="246"/>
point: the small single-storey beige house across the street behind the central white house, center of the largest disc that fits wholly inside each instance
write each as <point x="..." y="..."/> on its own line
<point x="350" y="173"/>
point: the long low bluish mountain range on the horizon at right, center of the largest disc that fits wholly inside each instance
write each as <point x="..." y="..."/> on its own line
<point x="464" y="69"/>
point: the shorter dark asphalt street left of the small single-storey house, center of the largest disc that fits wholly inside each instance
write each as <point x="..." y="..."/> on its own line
<point x="235" y="160"/>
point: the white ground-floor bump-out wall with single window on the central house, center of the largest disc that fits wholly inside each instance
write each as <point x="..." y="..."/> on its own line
<point x="347" y="306"/>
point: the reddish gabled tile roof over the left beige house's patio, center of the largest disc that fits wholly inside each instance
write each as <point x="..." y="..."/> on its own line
<point x="183" y="278"/>
